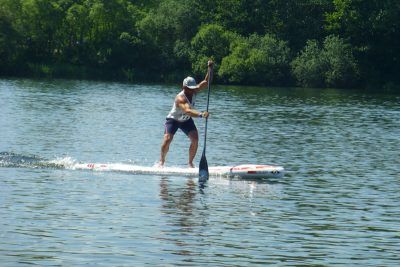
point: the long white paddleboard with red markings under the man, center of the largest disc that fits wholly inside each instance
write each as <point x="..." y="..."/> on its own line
<point x="249" y="171"/>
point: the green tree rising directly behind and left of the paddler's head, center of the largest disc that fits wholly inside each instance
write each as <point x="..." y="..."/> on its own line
<point x="166" y="32"/>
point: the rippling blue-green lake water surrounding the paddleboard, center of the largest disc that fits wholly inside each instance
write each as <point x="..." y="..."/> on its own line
<point x="338" y="203"/>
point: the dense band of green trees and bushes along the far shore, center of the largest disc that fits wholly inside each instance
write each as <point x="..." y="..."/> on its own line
<point x="318" y="43"/>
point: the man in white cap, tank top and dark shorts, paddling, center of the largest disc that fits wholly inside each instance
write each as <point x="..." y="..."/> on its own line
<point x="180" y="117"/>
